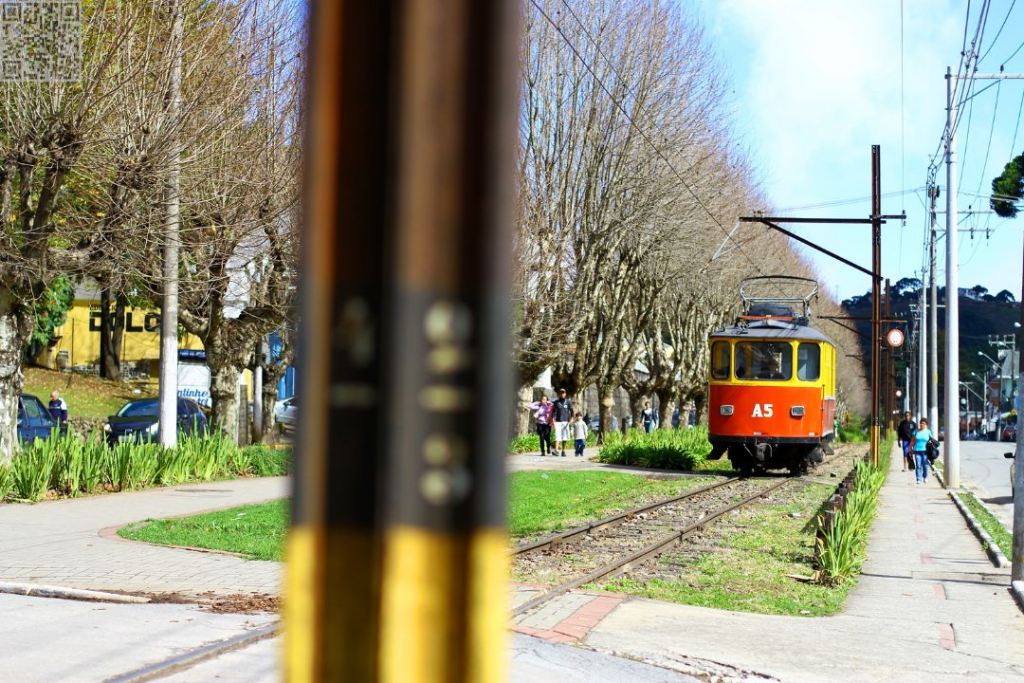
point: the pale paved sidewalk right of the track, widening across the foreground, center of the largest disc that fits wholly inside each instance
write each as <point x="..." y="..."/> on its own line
<point x="929" y="608"/>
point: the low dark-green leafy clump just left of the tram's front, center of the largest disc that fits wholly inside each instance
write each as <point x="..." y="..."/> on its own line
<point x="663" y="449"/>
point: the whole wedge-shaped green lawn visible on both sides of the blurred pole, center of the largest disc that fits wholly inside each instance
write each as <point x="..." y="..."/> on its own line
<point x="539" y="502"/>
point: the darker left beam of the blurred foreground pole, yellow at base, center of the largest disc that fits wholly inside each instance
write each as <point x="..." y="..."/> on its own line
<point x="332" y="606"/>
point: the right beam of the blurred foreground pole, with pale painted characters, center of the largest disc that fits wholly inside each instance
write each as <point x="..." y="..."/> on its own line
<point x="445" y="578"/>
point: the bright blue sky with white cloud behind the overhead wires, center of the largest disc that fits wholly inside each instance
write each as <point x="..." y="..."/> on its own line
<point x="816" y="83"/>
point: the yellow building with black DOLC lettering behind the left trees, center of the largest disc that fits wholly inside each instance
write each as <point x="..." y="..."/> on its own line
<point x="77" y="344"/>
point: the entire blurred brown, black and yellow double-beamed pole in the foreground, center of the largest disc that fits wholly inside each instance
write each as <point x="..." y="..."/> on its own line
<point x="398" y="558"/>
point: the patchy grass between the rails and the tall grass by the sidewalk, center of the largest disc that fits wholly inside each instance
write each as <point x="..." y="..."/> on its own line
<point x="751" y="572"/>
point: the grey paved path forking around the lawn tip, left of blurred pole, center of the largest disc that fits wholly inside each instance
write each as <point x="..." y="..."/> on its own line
<point x="61" y="542"/>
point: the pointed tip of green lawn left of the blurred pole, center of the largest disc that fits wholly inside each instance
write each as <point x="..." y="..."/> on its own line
<point x="254" y="531"/>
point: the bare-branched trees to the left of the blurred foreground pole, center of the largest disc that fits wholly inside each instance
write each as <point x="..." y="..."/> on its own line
<point x="83" y="181"/>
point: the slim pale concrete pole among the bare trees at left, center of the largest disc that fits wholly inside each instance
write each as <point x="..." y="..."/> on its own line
<point x="169" y="305"/>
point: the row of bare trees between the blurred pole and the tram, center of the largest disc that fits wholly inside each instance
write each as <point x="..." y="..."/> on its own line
<point x="631" y="184"/>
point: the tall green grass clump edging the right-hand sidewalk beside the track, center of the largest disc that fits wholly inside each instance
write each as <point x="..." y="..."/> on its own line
<point x="841" y="546"/>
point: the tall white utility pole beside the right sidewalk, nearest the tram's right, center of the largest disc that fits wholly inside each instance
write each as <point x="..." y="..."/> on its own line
<point x="952" y="447"/>
